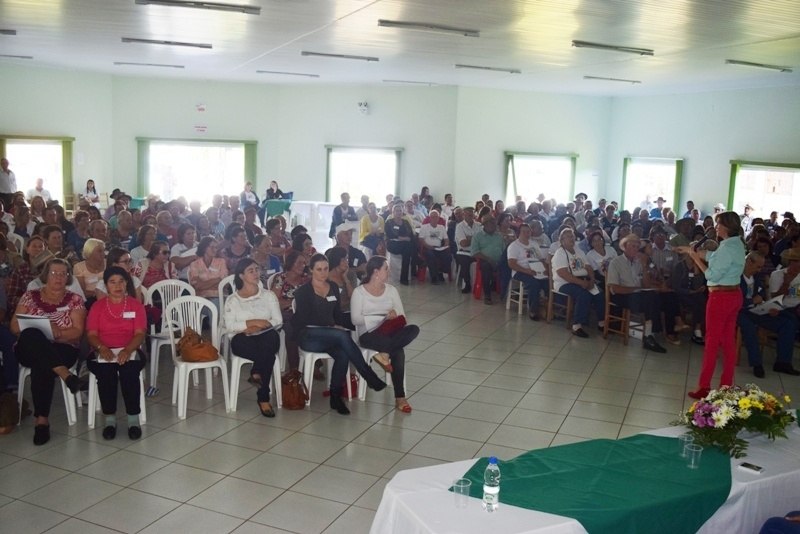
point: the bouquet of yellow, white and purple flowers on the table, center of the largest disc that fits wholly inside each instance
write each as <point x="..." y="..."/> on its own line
<point x="717" y="419"/>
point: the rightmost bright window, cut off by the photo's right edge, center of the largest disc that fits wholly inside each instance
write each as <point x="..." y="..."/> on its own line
<point x="765" y="186"/>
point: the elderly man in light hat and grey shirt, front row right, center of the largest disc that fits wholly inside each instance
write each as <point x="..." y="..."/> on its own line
<point x="630" y="286"/>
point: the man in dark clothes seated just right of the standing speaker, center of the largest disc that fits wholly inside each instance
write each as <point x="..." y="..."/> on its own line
<point x="782" y="323"/>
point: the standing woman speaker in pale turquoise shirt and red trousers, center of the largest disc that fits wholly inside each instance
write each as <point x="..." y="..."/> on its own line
<point x="723" y="273"/>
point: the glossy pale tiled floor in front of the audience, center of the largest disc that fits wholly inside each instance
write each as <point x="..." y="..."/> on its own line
<point x="481" y="380"/>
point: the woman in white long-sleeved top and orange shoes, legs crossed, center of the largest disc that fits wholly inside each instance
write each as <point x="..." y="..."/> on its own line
<point x="373" y="302"/>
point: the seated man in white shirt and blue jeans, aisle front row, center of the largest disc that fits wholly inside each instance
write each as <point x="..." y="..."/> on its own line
<point x="527" y="261"/>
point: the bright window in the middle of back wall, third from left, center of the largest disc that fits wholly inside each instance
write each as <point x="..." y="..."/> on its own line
<point x="363" y="171"/>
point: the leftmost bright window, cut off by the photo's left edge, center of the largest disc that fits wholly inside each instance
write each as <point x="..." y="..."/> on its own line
<point x="37" y="157"/>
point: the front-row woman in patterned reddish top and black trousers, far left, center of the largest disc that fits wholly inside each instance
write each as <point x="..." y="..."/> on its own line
<point x="50" y="356"/>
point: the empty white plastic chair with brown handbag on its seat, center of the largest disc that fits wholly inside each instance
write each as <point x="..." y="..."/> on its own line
<point x="186" y="312"/>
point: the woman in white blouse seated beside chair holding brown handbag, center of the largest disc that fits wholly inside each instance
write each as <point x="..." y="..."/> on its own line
<point x="253" y="315"/>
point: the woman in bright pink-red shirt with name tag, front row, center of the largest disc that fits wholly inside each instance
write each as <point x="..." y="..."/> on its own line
<point x="115" y="329"/>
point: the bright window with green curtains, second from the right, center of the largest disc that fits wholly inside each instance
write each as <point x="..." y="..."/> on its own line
<point x="646" y="179"/>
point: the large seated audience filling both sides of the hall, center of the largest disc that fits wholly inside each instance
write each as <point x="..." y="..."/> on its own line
<point x="582" y="248"/>
